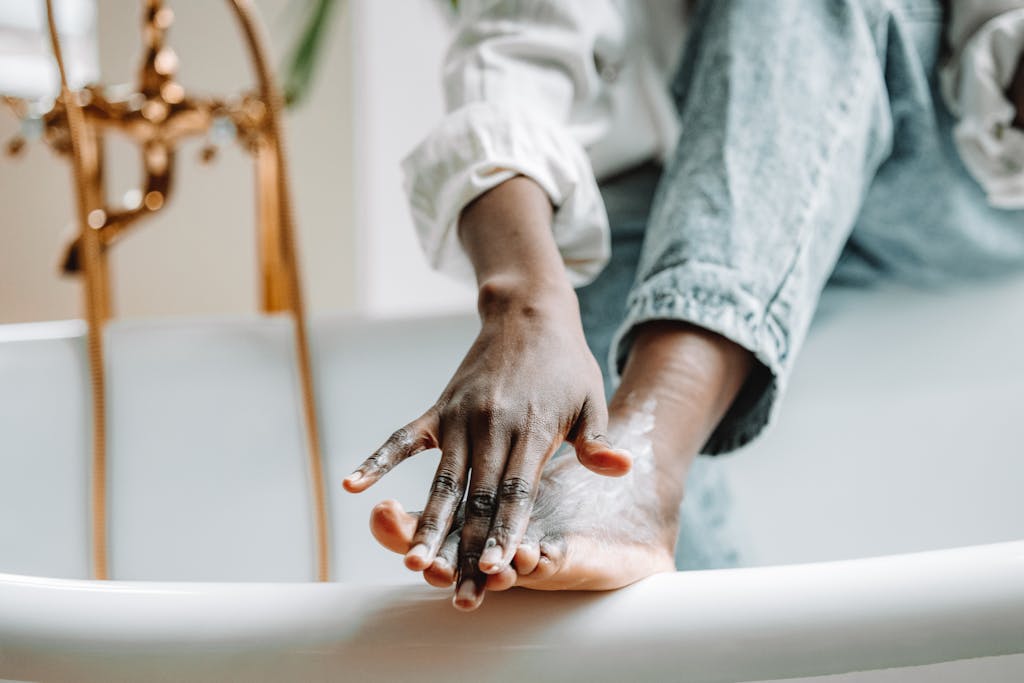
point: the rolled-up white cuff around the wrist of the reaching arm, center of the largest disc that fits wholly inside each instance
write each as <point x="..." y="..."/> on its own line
<point x="481" y="146"/>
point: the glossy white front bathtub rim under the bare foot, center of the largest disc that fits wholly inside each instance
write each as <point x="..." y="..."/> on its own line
<point x="745" y="624"/>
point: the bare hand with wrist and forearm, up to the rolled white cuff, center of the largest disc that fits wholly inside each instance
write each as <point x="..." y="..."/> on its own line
<point x="528" y="385"/>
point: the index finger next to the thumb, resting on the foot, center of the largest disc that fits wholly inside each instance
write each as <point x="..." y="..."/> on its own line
<point x="516" y="500"/>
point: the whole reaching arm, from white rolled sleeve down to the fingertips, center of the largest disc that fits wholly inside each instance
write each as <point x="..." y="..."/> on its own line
<point x="503" y="190"/>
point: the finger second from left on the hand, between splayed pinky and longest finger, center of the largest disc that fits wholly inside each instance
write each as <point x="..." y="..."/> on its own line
<point x="446" y="495"/>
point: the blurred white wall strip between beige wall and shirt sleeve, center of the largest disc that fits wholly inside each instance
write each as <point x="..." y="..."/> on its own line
<point x="398" y="51"/>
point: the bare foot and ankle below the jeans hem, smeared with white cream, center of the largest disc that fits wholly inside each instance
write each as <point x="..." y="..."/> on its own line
<point x="586" y="533"/>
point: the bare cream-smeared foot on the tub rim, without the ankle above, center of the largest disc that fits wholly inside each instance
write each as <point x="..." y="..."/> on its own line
<point x="586" y="533"/>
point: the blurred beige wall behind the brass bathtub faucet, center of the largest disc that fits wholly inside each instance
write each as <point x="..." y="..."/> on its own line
<point x="198" y="255"/>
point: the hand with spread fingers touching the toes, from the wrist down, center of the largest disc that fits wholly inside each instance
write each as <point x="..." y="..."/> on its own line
<point x="528" y="385"/>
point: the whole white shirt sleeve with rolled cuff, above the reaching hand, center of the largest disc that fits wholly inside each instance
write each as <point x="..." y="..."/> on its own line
<point x="526" y="94"/>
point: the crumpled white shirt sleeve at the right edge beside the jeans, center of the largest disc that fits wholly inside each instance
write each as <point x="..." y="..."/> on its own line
<point x="988" y="40"/>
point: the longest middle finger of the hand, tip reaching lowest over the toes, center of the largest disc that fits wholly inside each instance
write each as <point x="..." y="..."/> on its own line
<point x="490" y="454"/>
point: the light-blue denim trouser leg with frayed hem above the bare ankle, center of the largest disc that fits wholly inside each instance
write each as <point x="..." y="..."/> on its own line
<point x="787" y="111"/>
